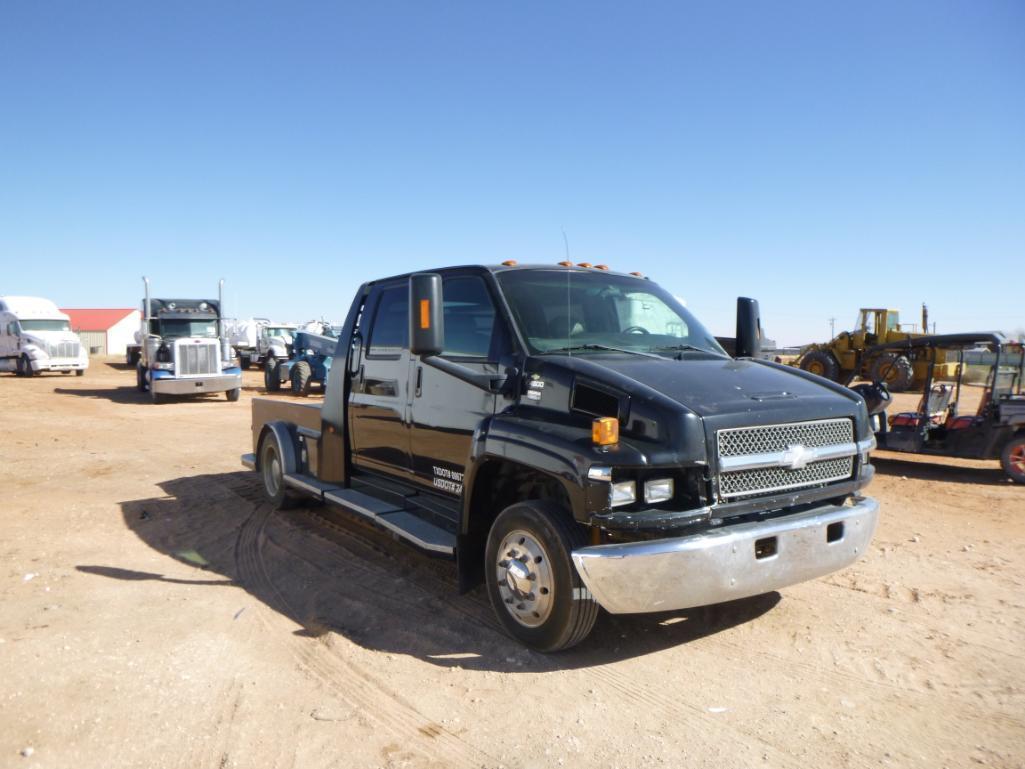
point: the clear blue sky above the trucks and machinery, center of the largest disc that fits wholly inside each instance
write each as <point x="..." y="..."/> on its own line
<point x="817" y="156"/>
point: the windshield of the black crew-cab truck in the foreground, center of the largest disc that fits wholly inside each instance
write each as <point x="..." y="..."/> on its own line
<point x="559" y="310"/>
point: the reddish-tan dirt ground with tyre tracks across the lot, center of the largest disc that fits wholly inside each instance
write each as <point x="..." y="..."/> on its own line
<point x="155" y="614"/>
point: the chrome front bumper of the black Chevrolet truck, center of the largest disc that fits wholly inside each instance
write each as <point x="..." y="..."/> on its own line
<point x="725" y="564"/>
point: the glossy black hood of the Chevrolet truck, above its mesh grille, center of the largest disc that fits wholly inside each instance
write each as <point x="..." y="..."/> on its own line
<point x="723" y="392"/>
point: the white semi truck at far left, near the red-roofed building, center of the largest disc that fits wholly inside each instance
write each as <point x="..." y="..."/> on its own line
<point x="35" y="337"/>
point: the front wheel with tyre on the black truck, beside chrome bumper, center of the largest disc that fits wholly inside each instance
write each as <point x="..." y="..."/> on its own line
<point x="534" y="586"/>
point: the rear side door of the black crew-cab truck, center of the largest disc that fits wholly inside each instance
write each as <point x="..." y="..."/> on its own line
<point x="379" y="406"/>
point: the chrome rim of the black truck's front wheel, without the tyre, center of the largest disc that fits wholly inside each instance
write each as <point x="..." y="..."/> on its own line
<point x="526" y="583"/>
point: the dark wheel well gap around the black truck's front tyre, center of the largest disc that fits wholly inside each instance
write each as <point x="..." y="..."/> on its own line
<point x="499" y="484"/>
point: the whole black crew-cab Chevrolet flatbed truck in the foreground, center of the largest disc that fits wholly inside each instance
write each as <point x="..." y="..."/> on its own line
<point x="575" y="438"/>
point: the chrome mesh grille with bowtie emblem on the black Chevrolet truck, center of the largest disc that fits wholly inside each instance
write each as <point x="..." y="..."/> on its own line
<point x="780" y="458"/>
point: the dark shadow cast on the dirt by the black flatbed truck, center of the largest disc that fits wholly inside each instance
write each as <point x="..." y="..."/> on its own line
<point x="332" y="575"/>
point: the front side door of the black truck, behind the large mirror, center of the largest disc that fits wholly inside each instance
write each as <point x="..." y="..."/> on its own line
<point x="446" y="411"/>
